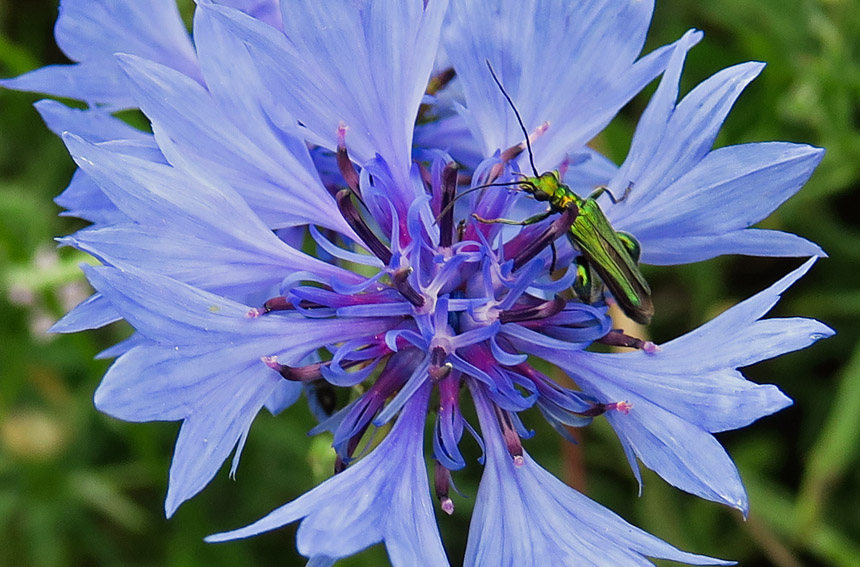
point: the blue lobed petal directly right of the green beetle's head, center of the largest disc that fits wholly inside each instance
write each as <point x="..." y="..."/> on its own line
<point x="697" y="198"/>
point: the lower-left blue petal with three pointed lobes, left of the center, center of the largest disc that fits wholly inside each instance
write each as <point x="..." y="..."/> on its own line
<point x="202" y="365"/>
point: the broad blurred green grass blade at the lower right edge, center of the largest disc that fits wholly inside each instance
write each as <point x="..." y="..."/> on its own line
<point x="835" y="449"/>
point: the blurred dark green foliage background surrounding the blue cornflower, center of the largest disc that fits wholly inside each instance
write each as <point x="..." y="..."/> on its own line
<point x="78" y="488"/>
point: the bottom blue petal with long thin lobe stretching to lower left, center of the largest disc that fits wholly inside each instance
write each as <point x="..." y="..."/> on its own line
<point x="383" y="497"/>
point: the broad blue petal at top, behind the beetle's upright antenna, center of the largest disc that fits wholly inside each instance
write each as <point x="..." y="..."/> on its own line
<point x="569" y="64"/>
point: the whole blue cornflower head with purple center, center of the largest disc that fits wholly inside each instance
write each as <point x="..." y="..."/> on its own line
<point x="301" y="122"/>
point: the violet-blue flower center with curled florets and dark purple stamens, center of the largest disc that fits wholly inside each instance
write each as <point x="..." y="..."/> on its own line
<point x="463" y="300"/>
